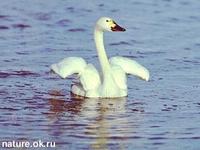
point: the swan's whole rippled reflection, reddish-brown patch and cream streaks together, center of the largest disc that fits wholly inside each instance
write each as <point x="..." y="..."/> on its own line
<point x="102" y="120"/>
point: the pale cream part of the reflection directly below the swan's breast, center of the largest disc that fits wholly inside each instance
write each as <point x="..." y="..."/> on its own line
<point x="108" y="112"/>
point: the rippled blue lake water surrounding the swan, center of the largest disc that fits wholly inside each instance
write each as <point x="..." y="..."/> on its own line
<point x="37" y="105"/>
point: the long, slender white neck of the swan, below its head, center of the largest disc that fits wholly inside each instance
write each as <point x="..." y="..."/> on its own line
<point x="98" y="37"/>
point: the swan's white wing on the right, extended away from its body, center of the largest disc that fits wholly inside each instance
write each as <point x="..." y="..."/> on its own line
<point x="131" y="67"/>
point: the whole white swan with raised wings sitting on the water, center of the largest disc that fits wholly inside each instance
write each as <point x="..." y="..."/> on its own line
<point x="112" y="82"/>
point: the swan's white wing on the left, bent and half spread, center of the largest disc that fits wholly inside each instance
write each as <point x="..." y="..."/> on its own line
<point x="89" y="76"/>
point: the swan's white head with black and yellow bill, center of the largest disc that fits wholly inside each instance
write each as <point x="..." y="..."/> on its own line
<point x="108" y="24"/>
